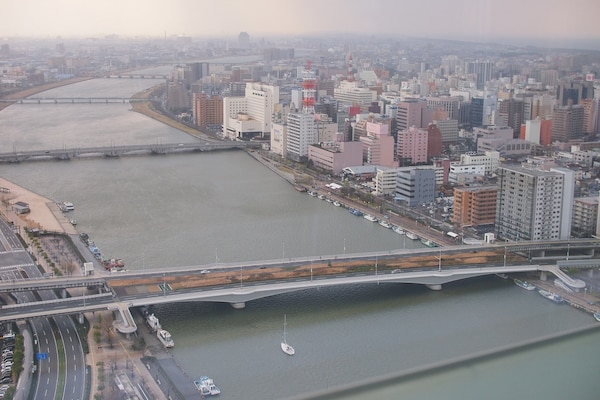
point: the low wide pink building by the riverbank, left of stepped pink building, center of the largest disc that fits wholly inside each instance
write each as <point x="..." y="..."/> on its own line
<point x="335" y="156"/>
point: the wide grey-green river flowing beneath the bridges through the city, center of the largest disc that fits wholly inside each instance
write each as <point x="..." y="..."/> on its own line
<point x="157" y="212"/>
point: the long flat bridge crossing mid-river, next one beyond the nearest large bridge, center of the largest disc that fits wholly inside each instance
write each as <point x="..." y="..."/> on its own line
<point x="118" y="151"/>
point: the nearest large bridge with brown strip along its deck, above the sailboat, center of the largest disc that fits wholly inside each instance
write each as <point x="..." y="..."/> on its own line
<point x="238" y="283"/>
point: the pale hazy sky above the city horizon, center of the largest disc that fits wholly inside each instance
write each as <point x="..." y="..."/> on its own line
<point x="462" y="19"/>
